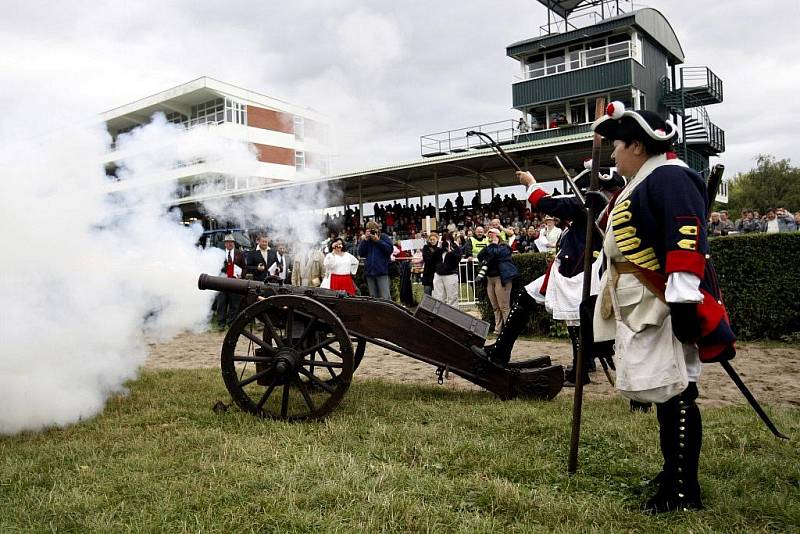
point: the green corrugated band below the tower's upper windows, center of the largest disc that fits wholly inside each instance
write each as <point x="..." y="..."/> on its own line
<point x="568" y="84"/>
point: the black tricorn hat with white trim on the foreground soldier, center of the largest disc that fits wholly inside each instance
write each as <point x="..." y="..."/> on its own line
<point x="619" y="123"/>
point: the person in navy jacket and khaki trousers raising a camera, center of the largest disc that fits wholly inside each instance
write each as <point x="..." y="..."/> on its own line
<point x="499" y="272"/>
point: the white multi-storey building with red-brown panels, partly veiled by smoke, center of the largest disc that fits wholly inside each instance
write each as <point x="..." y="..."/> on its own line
<point x="290" y="141"/>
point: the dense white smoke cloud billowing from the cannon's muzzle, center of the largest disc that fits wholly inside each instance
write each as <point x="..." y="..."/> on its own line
<point x="85" y="276"/>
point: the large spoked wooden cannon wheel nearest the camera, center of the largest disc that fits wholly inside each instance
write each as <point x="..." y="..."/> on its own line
<point x="287" y="357"/>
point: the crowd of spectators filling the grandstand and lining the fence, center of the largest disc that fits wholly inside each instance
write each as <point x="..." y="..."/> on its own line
<point x="461" y="232"/>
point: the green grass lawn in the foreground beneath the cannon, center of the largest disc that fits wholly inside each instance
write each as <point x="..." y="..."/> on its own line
<point x="391" y="458"/>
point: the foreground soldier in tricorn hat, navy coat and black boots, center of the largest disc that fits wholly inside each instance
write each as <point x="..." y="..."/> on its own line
<point x="658" y="297"/>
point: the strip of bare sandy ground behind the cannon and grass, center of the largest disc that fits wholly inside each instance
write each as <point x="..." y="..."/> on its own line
<point x="772" y="373"/>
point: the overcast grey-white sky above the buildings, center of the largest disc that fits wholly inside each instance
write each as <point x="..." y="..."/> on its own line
<point x="386" y="72"/>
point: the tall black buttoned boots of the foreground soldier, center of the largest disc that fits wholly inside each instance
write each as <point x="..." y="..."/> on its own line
<point x="680" y="435"/>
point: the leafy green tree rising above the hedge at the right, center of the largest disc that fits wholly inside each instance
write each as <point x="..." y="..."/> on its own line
<point x="772" y="183"/>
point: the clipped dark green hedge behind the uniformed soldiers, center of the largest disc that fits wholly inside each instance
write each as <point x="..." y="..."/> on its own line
<point x="759" y="275"/>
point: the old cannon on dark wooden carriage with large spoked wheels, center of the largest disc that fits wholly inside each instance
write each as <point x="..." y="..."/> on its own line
<point x="291" y="352"/>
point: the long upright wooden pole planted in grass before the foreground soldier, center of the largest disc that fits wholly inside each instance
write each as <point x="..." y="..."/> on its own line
<point x="577" y="405"/>
